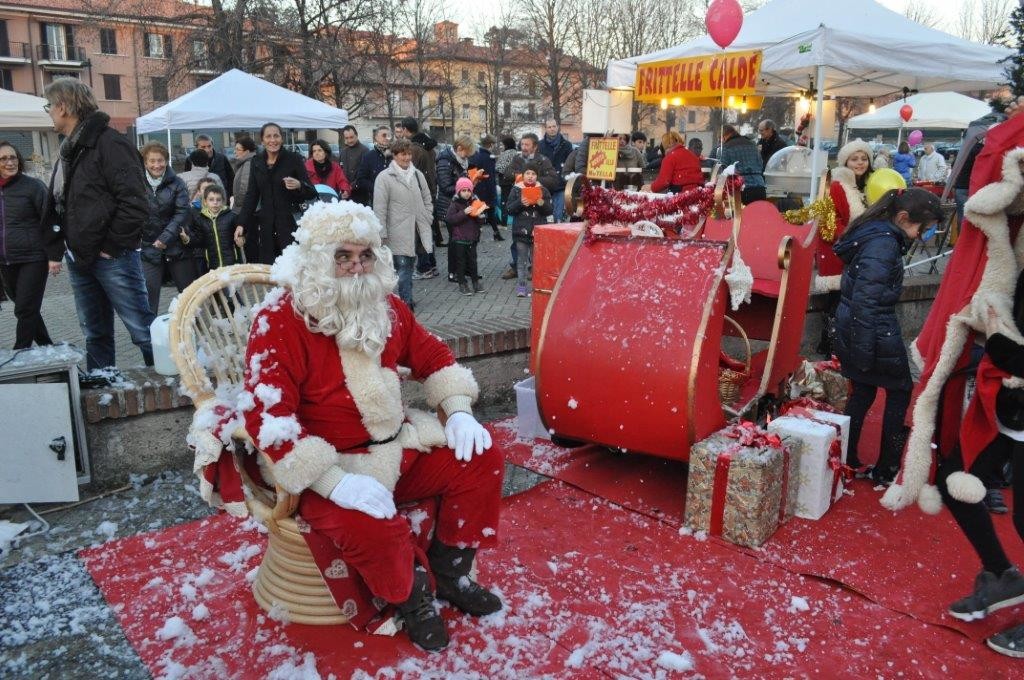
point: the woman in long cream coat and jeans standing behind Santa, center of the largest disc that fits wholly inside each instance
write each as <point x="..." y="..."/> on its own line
<point x="404" y="206"/>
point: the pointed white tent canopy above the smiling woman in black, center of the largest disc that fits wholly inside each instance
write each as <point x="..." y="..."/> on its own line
<point x="237" y="100"/>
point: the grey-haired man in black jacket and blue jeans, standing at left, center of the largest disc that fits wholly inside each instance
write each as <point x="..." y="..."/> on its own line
<point x="98" y="206"/>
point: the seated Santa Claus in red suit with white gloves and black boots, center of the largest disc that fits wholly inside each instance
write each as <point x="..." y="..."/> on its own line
<point x="323" y="370"/>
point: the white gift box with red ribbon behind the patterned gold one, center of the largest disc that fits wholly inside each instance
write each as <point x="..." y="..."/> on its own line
<point x="823" y="460"/>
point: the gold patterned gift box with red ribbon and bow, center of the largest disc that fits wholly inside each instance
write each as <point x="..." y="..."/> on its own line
<point x="739" y="485"/>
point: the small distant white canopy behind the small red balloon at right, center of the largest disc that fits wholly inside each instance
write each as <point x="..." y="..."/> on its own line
<point x="931" y="111"/>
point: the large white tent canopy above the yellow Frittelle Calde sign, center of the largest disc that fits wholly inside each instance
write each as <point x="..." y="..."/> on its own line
<point x="866" y="50"/>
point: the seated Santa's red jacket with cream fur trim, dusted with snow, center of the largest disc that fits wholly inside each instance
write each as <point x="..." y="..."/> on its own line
<point x="318" y="417"/>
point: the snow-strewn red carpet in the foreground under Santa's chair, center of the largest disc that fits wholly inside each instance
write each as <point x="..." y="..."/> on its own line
<point x="592" y="591"/>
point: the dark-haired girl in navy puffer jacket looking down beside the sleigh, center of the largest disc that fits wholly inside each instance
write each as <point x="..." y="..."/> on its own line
<point x="869" y="342"/>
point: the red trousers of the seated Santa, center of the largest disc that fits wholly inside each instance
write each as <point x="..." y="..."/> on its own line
<point x="382" y="550"/>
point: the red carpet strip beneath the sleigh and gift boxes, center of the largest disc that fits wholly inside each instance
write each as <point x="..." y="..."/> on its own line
<point x="911" y="563"/>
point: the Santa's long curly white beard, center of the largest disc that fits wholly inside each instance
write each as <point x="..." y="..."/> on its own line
<point x="354" y="310"/>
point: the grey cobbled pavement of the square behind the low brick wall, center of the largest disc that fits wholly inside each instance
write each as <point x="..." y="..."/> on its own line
<point x="440" y="307"/>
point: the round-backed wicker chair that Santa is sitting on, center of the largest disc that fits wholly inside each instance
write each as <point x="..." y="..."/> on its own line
<point x="209" y="330"/>
